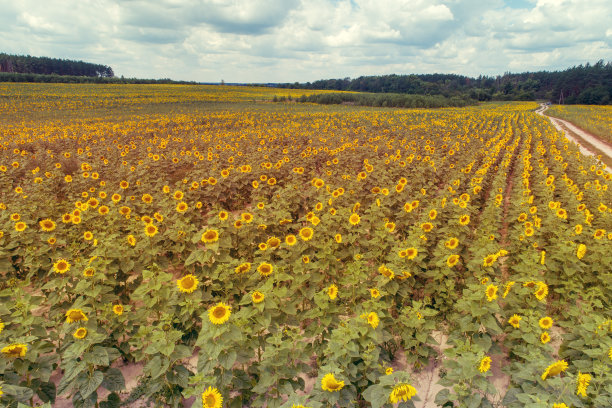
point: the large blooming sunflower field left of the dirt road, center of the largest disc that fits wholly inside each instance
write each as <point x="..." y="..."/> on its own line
<point x="243" y="253"/>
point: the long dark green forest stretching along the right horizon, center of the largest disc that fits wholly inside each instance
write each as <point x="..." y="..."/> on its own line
<point x="584" y="84"/>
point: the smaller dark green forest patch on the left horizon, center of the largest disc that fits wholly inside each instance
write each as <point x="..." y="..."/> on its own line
<point x="25" y="64"/>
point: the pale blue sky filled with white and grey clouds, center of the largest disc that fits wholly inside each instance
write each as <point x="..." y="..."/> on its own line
<point x="305" y="40"/>
